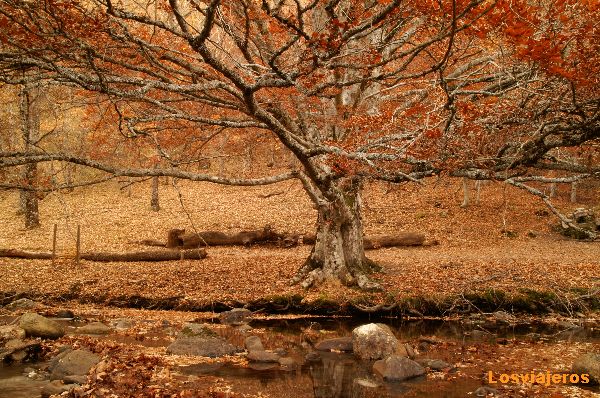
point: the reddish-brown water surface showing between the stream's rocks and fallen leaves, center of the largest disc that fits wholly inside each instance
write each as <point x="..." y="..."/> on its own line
<point x="331" y="375"/>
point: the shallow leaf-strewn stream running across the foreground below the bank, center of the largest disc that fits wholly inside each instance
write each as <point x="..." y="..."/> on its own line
<point x="332" y="374"/>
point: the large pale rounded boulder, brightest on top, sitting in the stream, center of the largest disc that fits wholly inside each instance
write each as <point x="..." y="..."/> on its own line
<point x="374" y="341"/>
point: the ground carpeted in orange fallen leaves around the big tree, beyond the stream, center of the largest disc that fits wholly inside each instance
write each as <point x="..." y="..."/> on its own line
<point x="499" y="254"/>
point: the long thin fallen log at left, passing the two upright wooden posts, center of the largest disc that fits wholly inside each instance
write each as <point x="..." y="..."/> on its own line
<point x="154" y="255"/>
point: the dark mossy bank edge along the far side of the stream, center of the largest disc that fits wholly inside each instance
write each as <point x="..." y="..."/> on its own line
<point x="529" y="302"/>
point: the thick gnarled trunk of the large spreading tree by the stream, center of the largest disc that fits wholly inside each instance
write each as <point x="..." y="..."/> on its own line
<point x="339" y="252"/>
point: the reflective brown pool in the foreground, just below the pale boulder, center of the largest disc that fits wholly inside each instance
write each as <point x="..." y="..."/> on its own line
<point x="331" y="376"/>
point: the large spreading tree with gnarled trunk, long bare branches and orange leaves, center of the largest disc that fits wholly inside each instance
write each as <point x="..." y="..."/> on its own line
<point x="355" y="89"/>
